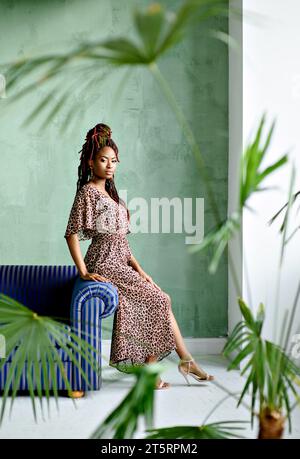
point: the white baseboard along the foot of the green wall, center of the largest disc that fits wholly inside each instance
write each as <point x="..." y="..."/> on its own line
<point x="195" y="345"/>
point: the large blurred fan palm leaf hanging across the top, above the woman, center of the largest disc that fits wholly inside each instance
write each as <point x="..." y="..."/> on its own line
<point x="90" y="63"/>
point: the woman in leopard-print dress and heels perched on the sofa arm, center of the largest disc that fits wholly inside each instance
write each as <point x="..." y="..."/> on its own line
<point x="144" y="329"/>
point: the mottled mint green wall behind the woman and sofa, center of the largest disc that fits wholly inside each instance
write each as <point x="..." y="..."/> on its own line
<point x="39" y="168"/>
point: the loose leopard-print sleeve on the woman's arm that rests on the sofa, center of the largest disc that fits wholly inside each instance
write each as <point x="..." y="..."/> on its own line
<point x="82" y="219"/>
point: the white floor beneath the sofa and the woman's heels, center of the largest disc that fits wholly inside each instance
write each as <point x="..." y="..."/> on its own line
<point x="179" y="405"/>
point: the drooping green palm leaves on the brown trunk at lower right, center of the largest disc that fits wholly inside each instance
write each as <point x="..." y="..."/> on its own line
<point x="270" y="372"/>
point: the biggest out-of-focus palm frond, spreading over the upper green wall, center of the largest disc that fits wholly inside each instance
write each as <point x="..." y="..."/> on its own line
<point x="158" y="31"/>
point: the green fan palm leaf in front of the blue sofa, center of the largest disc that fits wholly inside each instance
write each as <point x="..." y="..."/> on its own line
<point x="35" y="339"/>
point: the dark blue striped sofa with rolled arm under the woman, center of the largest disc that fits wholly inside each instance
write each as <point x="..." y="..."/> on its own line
<point x="59" y="292"/>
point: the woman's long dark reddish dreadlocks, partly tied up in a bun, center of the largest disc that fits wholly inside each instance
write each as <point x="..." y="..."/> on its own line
<point x="97" y="138"/>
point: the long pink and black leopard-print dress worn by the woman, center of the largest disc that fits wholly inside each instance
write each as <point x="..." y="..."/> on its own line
<point x="141" y="325"/>
